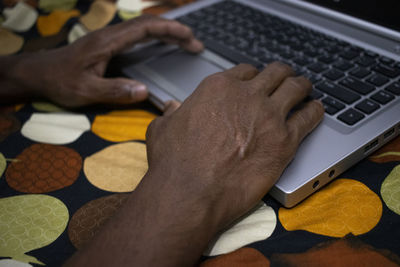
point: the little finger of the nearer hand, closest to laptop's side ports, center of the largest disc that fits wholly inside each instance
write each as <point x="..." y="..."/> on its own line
<point x="304" y="120"/>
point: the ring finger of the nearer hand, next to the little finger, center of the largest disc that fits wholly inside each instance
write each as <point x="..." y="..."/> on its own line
<point x="291" y="92"/>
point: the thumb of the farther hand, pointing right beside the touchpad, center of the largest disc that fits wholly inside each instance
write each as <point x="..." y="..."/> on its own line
<point x="118" y="90"/>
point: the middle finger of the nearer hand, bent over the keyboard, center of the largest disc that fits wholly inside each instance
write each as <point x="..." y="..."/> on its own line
<point x="271" y="77"/>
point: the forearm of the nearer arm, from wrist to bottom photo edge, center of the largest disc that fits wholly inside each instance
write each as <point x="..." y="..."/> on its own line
<point x="154" y="228"/>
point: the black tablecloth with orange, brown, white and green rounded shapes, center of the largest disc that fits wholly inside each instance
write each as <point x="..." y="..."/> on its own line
<point x="63" y="173"/>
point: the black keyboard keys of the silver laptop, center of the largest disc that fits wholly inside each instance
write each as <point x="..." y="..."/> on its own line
<point x="351" y="82"/>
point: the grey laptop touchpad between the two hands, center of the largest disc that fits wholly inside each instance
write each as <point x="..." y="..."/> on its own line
<point x="179" y="73"/>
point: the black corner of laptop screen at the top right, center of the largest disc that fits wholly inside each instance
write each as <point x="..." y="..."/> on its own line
<point x="382" y="12"/>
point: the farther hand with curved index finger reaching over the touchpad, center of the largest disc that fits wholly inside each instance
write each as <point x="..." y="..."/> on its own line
<point x="72" y="76"/>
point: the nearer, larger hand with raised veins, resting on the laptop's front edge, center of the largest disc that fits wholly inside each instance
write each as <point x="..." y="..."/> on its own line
<point x="230" y="140"/>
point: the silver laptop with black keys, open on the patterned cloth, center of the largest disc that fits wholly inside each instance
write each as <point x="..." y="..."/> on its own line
<point x="350" y="50"/>
